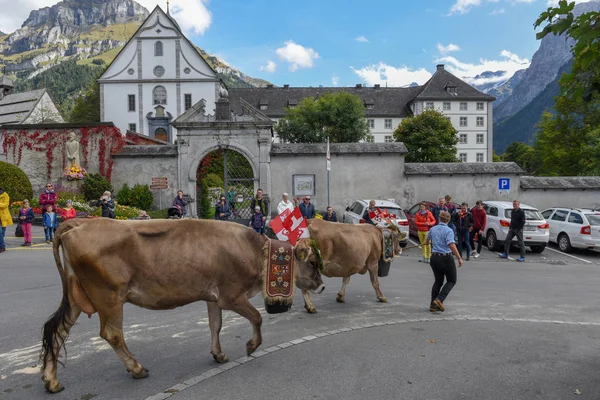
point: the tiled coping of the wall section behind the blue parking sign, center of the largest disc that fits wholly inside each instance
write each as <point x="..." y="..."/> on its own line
<point x="462" y="168"/>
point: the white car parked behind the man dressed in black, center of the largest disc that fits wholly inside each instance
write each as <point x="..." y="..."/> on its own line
<point x="536" y="232"/>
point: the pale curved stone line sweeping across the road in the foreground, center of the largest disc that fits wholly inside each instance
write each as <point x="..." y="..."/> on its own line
<point x="193" y="381"/>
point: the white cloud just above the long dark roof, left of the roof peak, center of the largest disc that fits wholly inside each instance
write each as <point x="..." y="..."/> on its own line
<point x="392" y="76"/>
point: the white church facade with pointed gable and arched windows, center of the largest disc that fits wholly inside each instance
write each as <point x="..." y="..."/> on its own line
<point x="155" y="78"/>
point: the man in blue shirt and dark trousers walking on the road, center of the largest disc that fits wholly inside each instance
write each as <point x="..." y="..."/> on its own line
<point x="442" y="264"/>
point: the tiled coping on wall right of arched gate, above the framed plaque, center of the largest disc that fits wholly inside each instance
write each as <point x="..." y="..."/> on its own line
<point x="337" y="148"/>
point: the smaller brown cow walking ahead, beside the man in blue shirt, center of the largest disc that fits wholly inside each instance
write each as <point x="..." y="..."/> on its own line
<point x="345" y="250"/>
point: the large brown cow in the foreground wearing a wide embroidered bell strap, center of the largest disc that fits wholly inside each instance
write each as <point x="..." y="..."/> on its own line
<point x="159" y="265"/>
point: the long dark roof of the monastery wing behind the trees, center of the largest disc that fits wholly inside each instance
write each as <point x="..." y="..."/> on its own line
<point x="386" y="101"/>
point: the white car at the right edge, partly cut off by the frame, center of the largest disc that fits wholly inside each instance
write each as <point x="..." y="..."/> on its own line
<point x="574" y="228"/>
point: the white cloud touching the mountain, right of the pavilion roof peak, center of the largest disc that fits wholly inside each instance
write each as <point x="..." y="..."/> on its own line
<point x="509" y="63"/>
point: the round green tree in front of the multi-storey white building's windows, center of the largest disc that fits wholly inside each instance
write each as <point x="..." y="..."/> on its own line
<point x="429" y="137"/>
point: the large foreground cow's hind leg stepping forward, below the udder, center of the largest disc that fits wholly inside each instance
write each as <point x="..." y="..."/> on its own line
<point x="111" y="330"/>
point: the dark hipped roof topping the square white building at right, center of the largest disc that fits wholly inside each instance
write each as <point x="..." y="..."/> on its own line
<point x="435" y="88"/>
